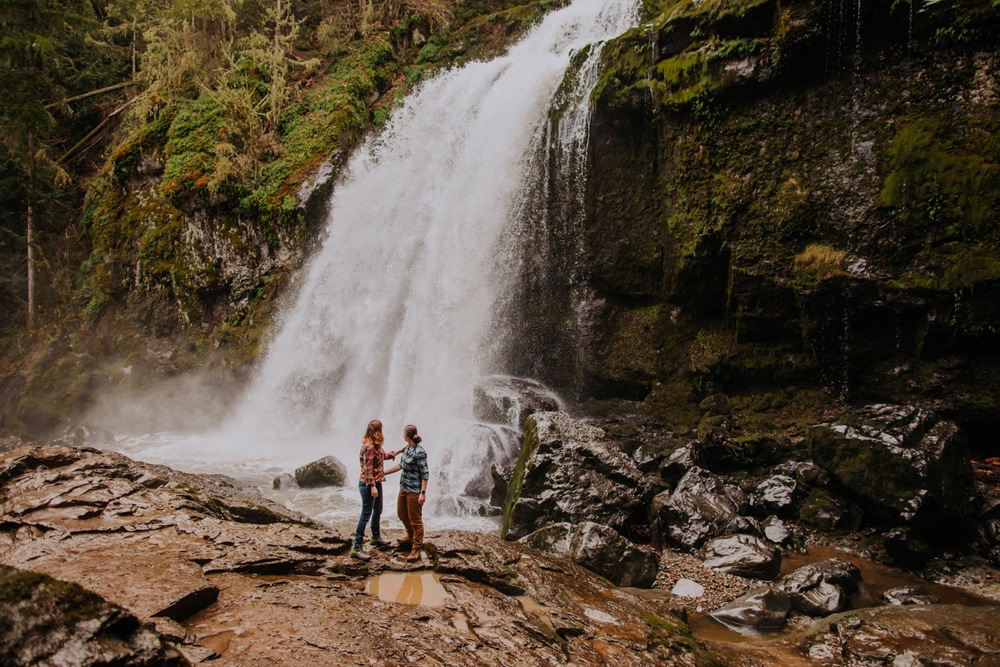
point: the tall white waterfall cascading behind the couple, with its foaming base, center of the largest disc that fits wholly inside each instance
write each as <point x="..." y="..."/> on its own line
<point x="393" y="317"/>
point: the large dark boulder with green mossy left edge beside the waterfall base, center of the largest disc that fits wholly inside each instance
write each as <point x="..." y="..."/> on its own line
<point x="568" y="473"/>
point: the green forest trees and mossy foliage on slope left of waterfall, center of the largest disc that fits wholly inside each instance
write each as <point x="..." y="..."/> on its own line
<point x="239" y="100"/>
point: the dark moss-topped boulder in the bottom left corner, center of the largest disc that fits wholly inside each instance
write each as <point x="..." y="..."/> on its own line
<point x="50" y="622"/>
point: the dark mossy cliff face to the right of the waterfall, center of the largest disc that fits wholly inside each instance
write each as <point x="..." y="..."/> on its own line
<point x="793" y="194"/>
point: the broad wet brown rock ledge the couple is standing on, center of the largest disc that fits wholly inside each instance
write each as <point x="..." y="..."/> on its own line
<point x="180" y="563"/>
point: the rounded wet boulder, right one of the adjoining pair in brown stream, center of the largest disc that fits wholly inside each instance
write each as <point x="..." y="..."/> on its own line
<point x="823" y="588"/>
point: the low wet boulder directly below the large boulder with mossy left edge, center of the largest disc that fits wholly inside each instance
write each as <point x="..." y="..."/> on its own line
<point x="600" y="549"/>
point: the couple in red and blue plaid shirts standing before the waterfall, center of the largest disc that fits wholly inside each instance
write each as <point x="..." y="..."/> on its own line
<point x="412" y="490"/>
